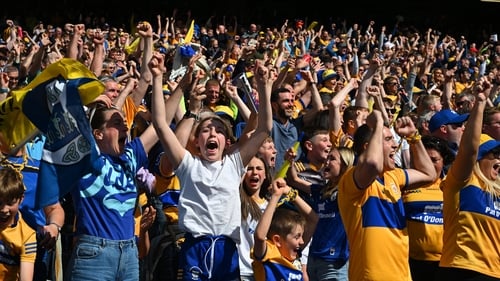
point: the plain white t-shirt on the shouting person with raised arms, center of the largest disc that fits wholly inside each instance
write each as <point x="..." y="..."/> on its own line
<point x="209" y="202"/>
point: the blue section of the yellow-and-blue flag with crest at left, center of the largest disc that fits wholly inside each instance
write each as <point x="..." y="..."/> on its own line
<point x="55" y="107"/>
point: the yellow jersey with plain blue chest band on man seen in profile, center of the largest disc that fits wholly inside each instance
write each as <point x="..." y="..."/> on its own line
<point x="375" y="223"/>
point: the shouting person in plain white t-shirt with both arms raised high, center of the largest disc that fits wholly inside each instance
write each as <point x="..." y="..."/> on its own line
<point x="209" y="209"/>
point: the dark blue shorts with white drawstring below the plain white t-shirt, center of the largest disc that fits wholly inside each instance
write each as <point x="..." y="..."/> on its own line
<point x="208" y="258"/>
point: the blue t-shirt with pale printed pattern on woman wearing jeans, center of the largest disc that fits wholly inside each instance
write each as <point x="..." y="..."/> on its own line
<point x="105" y="202"/>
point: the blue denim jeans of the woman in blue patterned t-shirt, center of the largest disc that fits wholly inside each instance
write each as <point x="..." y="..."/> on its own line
<point x="100" y="259"/>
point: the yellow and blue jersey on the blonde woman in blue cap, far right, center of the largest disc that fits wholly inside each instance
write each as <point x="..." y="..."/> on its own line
<point x="472" y="233"/>
